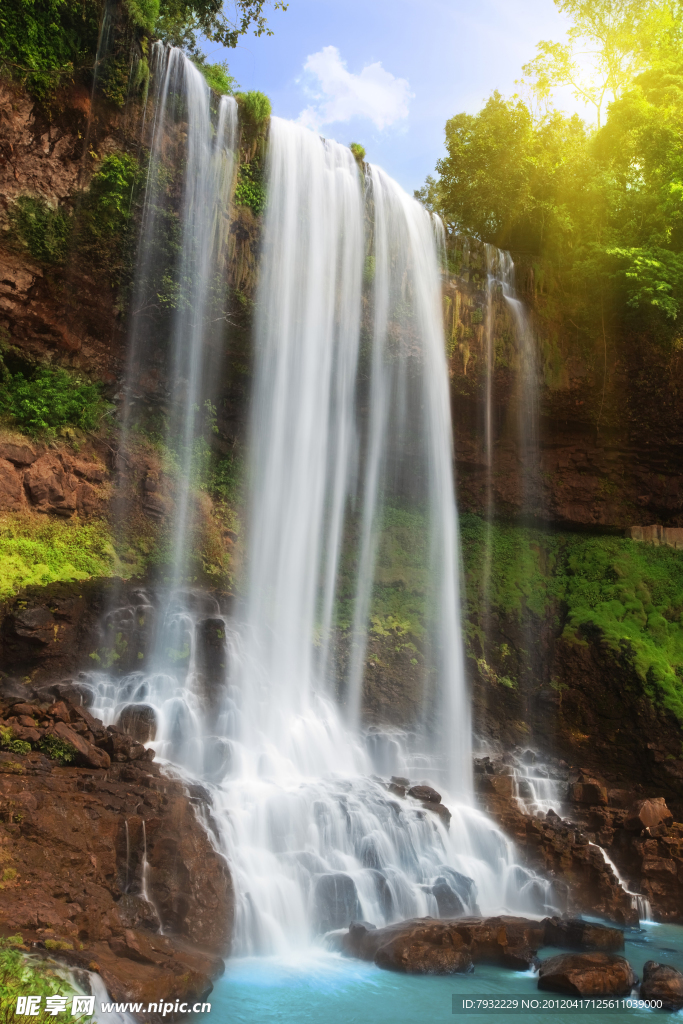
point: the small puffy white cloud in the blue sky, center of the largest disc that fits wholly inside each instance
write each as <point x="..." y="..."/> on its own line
<point x="339" y="96"/>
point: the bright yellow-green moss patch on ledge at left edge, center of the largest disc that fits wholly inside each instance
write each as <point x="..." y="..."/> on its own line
<point x="40" y="551"/>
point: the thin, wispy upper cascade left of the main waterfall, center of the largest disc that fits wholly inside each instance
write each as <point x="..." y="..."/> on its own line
<point x="187" y="132"/>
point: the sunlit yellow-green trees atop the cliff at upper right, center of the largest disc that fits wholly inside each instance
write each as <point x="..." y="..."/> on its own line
<point x="596" y="211"/>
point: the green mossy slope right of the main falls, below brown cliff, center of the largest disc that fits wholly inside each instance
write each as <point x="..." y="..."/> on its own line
<point x="631" y="592"/>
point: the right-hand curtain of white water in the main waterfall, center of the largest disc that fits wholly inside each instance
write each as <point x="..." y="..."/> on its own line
<point x="409" y="460"/>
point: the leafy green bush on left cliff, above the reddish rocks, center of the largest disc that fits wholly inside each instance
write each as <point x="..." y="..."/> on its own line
<point x="50" y="398"/>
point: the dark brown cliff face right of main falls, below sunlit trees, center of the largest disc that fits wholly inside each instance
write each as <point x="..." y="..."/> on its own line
<point x="610" y="421"/>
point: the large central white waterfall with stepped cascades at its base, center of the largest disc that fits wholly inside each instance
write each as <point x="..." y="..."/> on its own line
<point x="350" y="424"/>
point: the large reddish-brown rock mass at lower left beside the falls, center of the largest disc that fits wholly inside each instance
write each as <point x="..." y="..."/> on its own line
<point x="101" y="855"/>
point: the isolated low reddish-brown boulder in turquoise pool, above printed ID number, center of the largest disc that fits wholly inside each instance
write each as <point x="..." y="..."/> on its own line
<point x="587" y="975"/>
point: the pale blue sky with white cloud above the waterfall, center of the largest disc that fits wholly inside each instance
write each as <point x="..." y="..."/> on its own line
<point x="390" y="73"/>
